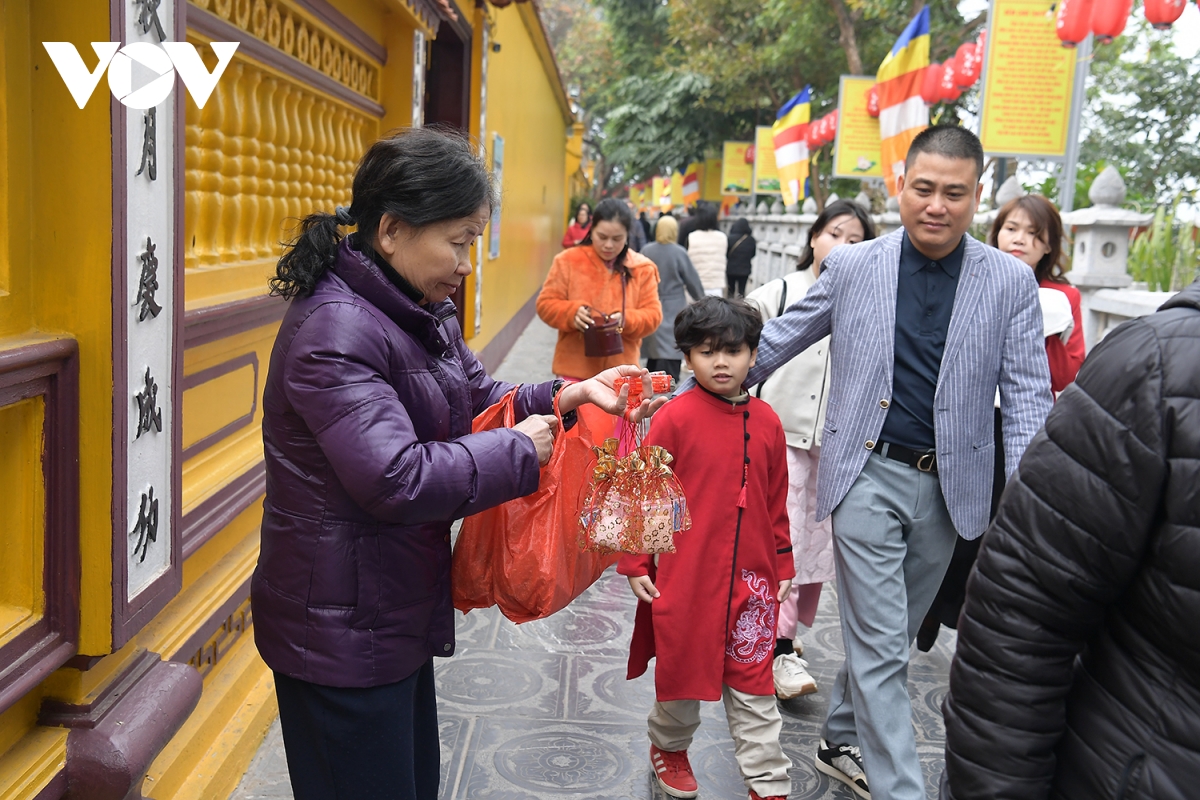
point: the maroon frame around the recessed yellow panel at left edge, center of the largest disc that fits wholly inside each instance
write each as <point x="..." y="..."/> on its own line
<point x="49" y="370"/>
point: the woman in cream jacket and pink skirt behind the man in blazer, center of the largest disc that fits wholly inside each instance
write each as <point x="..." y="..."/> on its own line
<point x="797" y="394"/>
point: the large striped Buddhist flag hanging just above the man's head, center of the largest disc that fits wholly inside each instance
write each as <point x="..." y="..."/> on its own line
<point x="903" y="113"/>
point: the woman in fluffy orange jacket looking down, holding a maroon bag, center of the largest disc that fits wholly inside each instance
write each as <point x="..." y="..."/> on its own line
<point x="601" y="275"/>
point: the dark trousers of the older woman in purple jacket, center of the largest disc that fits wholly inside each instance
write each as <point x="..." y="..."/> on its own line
<point x="362" y="744"/>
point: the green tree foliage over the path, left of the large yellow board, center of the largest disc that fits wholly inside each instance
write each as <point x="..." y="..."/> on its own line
<point x="664" y="82"/>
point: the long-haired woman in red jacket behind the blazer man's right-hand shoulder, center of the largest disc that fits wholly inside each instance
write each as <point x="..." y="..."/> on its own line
<point x="1031" y="230"/>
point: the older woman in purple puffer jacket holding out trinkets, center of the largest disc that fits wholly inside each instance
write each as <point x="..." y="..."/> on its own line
<point x="370" y="458"/>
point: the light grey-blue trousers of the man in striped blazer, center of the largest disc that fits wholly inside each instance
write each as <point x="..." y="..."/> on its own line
<point x="893" y="540"/>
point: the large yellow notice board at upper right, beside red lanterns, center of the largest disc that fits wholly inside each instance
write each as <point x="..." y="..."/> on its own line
<point x="1028" y="83"/>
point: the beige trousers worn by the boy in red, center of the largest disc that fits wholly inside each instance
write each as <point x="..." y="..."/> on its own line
<point x="754" y="724"/>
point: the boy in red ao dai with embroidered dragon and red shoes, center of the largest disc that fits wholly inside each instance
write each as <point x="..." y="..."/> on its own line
<point x="709" y="611"/>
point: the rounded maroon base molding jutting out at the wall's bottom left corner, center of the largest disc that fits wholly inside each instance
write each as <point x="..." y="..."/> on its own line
<point x="115" y="739"/>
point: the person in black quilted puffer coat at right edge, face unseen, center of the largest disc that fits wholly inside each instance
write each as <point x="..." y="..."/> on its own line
<point x="1078" y="666"/>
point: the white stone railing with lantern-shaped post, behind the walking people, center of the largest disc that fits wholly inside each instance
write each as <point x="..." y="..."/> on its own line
<point x="1100" y="257"/>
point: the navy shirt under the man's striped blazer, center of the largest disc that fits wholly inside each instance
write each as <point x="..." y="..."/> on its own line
<point x="925" y="302"/>
